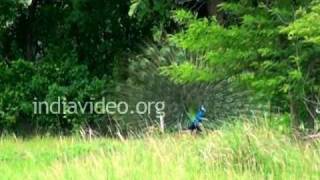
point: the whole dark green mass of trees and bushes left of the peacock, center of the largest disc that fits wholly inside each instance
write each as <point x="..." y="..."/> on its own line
<point x="75" y="48"/>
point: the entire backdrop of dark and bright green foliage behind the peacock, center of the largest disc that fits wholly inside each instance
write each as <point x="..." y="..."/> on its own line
<point x="79" y="49"/>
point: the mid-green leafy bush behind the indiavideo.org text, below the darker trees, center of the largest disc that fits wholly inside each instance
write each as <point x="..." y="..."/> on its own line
<point x="23" y="82"/>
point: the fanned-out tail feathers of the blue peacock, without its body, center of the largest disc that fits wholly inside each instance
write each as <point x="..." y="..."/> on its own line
<point x="223" y="100"/>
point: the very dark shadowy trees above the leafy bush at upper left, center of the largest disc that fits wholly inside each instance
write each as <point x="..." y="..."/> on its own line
<point x="100" y="32"/>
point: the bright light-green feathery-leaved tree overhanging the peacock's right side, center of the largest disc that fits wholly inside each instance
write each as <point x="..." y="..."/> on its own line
<point x="251" y="46"/>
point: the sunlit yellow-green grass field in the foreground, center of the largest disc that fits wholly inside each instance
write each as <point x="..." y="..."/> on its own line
<point x="236" y="151"/>
